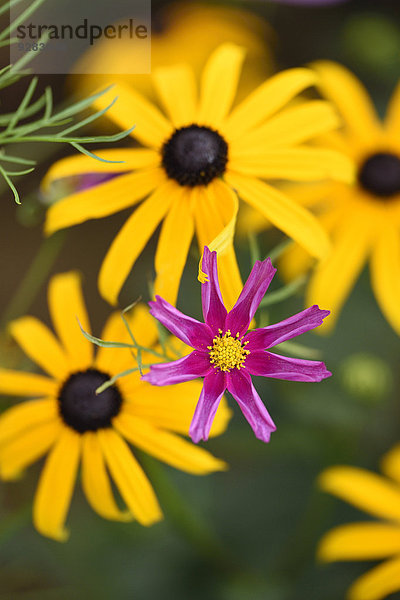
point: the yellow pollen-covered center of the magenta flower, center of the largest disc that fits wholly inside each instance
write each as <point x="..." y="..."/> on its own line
<point x="228" y="352"/>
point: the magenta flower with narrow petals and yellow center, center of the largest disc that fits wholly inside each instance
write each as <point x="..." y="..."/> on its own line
<point x="226" y="354"/>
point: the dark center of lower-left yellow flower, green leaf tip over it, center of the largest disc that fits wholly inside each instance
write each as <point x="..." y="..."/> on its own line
<point x="84" y="410"/>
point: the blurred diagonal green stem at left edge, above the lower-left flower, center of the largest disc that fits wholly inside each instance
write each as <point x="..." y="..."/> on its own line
<point x="34" y="278"/>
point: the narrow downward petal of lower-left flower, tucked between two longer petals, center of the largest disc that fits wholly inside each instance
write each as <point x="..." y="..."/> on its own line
<point x="96" y="482"/>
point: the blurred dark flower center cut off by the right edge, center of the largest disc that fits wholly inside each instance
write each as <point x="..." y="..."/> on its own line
<point x="380" y="174"/>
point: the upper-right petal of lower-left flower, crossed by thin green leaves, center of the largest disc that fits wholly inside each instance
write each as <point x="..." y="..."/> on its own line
<point x="144" y="329"/>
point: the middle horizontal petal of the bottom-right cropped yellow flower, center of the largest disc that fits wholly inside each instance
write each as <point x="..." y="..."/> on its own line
<point x="360" y="541"/>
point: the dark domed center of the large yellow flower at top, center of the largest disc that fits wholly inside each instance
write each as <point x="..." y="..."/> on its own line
<point x="194" y="155"/>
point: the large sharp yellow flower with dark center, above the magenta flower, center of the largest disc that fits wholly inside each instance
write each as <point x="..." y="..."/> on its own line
<point x="195" y="158"/>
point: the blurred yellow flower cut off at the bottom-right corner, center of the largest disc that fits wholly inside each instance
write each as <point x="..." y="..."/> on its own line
<point x="370" y="540"/>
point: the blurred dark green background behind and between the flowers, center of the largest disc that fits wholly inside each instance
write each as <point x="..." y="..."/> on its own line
<point x="251" y="532"/>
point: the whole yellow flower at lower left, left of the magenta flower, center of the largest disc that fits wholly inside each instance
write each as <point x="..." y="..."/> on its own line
<point x="72" y="424"/>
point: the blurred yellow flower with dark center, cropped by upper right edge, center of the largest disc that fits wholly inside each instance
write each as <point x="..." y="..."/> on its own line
<point x="363" y="218"/>
